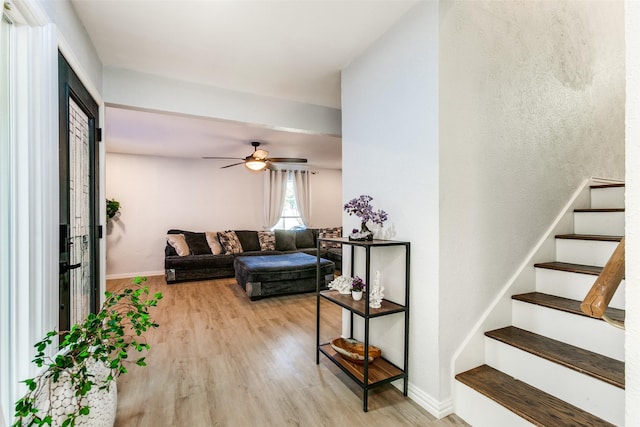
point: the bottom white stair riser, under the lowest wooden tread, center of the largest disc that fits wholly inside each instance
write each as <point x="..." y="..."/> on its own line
<point x="480" y="411"/>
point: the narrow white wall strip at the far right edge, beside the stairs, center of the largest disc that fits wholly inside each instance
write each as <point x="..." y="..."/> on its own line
<point x="632" y="232"/>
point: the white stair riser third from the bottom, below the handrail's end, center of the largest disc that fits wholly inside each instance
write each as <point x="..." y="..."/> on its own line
<point x="581" y="331"/>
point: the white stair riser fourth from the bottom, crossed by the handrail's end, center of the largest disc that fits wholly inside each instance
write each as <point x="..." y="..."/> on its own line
<point x="572" y="285"/>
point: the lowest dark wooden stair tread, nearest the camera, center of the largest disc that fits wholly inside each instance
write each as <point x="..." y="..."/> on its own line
<point x="530" y="403"/>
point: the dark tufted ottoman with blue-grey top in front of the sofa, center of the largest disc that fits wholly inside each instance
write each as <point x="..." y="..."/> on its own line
<point x="268" y="275"/>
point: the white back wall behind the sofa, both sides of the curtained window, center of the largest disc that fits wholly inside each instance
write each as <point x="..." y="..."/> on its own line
<point x="159" y="193"/>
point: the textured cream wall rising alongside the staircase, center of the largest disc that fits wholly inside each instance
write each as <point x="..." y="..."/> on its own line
<point x="531" y="103"/>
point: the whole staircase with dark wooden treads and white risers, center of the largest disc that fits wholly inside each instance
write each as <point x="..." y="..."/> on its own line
<point x="554" y="366"/>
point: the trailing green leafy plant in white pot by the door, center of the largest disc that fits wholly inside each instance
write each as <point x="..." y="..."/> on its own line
<point x="105" y="337"/>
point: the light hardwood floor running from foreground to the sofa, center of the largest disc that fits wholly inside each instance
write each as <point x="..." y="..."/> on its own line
<point x="219" y="359"/>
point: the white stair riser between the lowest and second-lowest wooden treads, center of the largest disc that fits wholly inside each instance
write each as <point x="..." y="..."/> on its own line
<point x="585" y="392"/>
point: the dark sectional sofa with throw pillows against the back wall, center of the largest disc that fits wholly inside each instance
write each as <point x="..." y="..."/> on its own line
<point x="202" y="264"/>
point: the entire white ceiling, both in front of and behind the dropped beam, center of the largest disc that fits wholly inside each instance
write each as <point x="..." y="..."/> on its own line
<point x="292" y="50"/>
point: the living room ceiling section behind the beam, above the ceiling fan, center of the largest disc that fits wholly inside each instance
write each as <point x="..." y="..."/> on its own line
<point x="168" y="135"/>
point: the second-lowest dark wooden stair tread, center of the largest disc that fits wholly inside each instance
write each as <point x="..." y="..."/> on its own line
<point x="589" y="363"/>
